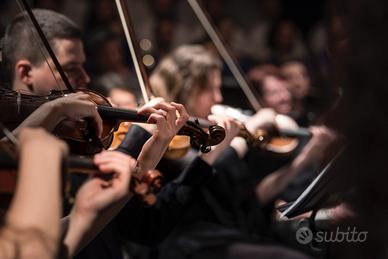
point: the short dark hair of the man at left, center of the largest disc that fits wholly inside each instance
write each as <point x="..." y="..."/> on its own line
<point x="20" y="42"/>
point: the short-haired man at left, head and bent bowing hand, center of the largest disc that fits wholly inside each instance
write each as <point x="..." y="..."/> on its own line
<point x="29" y="73"/>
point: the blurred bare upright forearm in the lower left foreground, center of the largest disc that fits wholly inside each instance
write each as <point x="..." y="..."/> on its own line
<point x="37" y="201"/>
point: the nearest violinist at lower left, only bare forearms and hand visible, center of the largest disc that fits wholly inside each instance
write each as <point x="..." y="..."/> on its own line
<point x="31" y="227"/>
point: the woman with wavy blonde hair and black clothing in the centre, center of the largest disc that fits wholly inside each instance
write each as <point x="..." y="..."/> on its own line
<point x="226" y="216"/>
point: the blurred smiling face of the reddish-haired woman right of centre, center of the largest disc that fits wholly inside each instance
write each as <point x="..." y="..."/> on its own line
<point x="276" y="95"/>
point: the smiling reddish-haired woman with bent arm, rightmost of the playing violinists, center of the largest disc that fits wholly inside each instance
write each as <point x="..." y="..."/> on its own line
<point x="272" y="87"/>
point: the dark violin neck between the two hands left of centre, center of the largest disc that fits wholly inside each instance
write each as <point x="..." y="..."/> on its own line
<point x="122" y="115"/>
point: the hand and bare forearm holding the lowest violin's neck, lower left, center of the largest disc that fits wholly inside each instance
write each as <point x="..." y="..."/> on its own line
<point x="98" y="201"/>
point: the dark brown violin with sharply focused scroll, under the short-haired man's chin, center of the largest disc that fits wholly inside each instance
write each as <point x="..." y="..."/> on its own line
<point x="15" y="107"/>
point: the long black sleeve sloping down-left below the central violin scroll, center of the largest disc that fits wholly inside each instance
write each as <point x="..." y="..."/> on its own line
<point x="151" y="224"/>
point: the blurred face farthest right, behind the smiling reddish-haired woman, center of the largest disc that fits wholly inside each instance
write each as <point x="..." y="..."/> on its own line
<point x="298" y="79"/>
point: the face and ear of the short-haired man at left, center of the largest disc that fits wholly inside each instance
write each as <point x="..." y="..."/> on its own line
<point x="39" y="79"/>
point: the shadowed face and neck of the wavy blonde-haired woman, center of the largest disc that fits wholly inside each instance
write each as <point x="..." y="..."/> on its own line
<point x="200" y="104"/>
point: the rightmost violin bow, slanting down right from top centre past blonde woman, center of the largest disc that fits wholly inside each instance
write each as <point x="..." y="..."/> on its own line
<point x="224" y="51"/>
